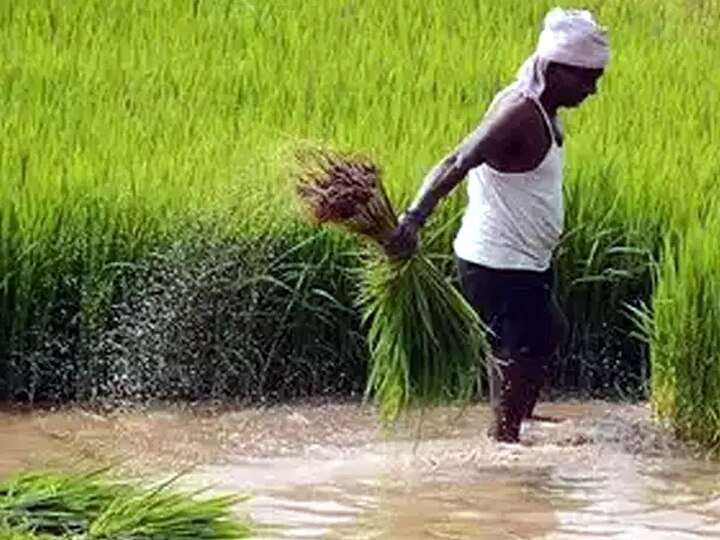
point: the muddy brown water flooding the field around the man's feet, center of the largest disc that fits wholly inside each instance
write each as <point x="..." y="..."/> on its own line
<point x="604" y="471"/>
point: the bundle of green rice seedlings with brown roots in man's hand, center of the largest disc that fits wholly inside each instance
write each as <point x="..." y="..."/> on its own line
<point x="427" y="344"/>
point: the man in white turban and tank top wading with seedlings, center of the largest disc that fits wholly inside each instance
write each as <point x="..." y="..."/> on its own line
<point x="514" y="217"/>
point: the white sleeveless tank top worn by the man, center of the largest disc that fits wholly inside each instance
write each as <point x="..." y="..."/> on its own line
<point x="514" y="220"/>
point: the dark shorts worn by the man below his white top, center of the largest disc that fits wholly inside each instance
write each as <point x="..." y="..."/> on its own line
<point x="517" y="305"/>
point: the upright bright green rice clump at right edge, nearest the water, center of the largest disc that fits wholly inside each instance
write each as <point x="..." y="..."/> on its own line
<point x="685" y="353"/>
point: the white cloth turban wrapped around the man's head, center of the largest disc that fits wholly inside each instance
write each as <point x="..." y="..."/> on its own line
<point x="568" y="37"/>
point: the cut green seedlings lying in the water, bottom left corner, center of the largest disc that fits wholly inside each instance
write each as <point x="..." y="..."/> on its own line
<point x="53" y="505"/>
